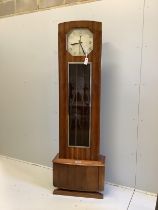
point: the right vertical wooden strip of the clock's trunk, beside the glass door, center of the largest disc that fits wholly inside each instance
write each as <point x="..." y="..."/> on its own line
<point x="96" y="59"/>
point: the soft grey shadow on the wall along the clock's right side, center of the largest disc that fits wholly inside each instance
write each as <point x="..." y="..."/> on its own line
<point x="109" y="98"/>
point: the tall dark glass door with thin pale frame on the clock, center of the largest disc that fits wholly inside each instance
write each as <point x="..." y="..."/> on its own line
<point x="79" y="84"/>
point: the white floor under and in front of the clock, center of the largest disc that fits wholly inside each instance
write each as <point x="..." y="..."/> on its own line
<point x="26" y="186"/>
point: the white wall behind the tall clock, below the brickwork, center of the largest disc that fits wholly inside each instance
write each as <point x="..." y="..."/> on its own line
<point x="29" y="87"/>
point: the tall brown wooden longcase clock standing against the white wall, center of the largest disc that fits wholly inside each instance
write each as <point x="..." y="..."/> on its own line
<point x="78" y="169"/>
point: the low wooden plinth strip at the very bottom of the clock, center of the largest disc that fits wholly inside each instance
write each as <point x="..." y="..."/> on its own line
<point x="96" y="195"/>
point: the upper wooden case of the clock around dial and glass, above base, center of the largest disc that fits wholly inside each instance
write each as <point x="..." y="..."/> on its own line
<point x="82" y="153"/>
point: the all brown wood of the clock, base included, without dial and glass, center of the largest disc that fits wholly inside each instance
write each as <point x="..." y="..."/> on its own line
<point x="79" y="170"/>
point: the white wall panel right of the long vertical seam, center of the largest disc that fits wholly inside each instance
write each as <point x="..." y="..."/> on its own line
<point x="147" y="167"/>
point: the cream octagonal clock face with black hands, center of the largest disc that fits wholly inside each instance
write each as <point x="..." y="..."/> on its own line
<point x="80" y="42"/>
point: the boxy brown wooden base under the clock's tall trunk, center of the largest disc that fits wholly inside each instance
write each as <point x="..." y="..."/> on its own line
<point x="79" y="176"/>
